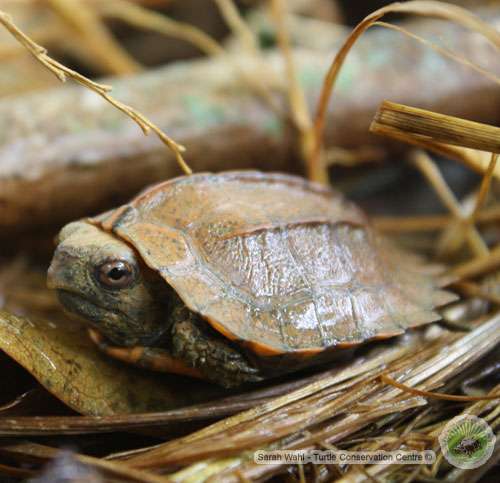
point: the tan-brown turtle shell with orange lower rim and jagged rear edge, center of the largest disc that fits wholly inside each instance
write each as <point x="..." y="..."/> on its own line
<point x="277" y="263"/>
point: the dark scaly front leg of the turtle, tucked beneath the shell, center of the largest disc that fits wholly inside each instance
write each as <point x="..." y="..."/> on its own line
<point x="216" y="360"/>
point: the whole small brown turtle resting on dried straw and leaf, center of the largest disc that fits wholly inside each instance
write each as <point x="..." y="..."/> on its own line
<point x="238" y="277"/>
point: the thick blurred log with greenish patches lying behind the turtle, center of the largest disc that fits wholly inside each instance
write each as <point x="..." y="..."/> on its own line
<point x="65" y="153"/>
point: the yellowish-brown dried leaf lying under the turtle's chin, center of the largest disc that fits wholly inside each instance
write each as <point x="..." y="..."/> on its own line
<point x="62" y="358"/>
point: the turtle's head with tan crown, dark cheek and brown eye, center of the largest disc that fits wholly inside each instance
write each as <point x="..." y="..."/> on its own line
<point x="102" y="279"/>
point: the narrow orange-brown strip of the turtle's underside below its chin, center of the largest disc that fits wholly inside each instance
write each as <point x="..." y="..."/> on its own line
<point x="153" y="358"/>
